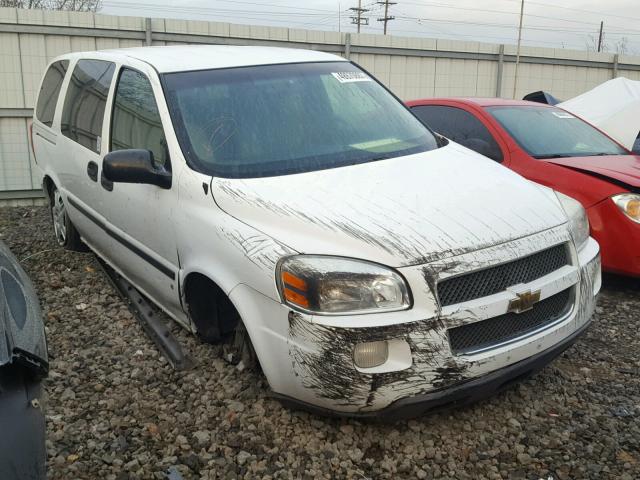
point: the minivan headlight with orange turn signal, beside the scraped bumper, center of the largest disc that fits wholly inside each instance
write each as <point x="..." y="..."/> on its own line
<point x="337" y="286"/>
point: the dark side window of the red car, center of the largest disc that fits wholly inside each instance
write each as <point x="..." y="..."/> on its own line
<point x="460" y="126"/>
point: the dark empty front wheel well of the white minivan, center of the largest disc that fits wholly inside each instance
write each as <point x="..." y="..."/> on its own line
<point x="209" y="308"/>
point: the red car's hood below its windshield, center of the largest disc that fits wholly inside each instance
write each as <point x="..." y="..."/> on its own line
<point x="623" y="168"/>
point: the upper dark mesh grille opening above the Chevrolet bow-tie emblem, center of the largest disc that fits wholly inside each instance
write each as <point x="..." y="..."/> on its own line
<point x="492" y="280"/>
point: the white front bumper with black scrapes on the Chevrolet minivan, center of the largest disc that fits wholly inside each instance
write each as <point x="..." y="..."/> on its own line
<point x="309" y="359"/>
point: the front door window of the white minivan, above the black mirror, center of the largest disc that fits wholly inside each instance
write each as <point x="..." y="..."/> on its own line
<point x="136" y="122"/>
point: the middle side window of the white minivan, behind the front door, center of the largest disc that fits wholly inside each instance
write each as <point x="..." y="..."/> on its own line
<point x="84" y="104"/>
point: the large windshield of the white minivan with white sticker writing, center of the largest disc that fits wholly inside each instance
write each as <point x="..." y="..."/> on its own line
<point x="283" y="119"/>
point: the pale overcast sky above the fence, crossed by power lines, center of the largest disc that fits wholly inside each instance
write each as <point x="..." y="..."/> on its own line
<point x="547" y="23"/>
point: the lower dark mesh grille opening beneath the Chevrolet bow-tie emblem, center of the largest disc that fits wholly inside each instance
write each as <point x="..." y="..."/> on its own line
<point x="486" y="333"/>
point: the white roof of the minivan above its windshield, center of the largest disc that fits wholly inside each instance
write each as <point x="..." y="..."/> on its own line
<point x="180" y="58"/>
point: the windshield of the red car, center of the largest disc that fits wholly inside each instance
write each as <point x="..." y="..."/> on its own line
<point x="548" y="132"/>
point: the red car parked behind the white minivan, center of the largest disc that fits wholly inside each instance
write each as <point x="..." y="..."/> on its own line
<point x="554" y="148"/>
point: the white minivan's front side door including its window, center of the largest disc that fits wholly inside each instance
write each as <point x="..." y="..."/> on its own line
<point x="139" y="216"/>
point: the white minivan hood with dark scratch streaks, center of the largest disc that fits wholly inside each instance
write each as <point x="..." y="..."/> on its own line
<point x="398" y="212"/>
